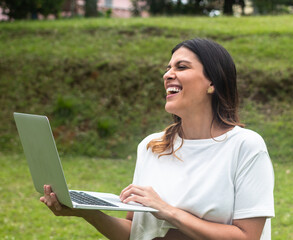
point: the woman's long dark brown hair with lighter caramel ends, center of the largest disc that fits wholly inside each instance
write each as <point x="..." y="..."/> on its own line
<point x="220" y="69"/>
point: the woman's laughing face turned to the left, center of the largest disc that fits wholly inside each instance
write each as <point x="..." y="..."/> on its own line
<point x="185" y="84"/>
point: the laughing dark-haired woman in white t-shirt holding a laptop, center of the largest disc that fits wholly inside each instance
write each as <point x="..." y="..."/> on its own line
<point x="208" y="177"/>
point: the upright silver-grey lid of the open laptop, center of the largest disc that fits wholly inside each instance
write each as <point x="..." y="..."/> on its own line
<point x="42" y="156"/>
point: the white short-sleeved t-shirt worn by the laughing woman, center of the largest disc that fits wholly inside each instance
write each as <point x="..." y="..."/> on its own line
<point x="229" y="177"/>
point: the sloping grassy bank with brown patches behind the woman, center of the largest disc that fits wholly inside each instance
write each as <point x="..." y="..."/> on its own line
<point x="100" y="81"/>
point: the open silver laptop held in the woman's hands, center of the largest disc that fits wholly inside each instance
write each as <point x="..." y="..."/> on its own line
<point x="46" y="169"/>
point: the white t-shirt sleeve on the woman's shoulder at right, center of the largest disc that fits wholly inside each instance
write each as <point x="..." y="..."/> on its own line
<point x="254" y="185"/>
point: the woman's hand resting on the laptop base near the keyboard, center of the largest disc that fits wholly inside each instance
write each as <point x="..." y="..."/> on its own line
<point x="147" y="197"/>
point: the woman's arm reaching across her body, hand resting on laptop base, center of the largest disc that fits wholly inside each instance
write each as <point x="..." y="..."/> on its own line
<point x="190" y="225"/>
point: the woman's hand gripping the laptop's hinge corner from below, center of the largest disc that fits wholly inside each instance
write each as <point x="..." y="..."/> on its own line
<point x="50" y="199"/>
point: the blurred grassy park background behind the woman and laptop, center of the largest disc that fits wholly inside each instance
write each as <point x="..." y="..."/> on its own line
<point x="95" y="69"/>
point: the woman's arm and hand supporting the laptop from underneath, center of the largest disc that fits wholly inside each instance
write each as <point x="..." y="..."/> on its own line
<point x="111" y="227"/>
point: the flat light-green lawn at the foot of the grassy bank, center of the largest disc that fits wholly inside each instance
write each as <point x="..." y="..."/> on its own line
<point x="22" y="216"/>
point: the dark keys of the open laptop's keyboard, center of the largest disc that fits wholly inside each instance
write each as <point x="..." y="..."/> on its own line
<point x="84" y="198"/>
